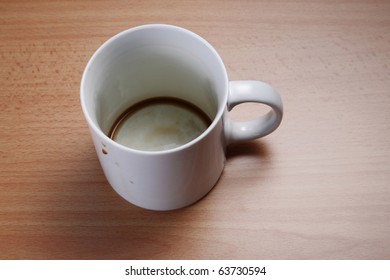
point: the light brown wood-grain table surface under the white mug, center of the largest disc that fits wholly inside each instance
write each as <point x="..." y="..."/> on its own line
<point x="317" y="188"/>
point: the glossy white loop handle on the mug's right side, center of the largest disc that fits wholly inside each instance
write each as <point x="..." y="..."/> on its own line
<point x="253" y="91"/>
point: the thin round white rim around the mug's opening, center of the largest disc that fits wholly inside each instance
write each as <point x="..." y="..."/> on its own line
<point x="221" y="105"/>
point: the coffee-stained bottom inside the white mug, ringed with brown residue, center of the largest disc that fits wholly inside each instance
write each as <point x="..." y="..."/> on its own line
<point x="158" y="124"/>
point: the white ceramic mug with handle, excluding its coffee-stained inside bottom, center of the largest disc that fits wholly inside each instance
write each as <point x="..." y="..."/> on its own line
<point x="140" y="63"/>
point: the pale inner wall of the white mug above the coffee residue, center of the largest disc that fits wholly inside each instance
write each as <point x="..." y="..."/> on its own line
<point x="152" y="61"/>
